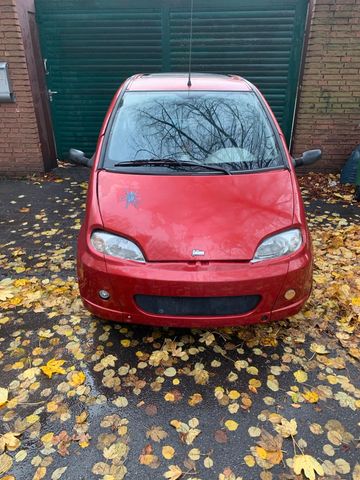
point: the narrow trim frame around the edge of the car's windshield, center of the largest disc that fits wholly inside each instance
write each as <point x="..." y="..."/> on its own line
<point x="276" y="136"/>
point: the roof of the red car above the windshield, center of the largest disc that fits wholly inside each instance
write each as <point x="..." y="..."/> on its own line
<point x="178" y="82"/>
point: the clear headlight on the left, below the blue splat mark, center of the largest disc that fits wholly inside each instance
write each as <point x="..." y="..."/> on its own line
<point x="116" y="246"/>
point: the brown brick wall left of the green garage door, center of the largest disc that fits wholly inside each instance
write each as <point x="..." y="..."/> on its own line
<point x="20" y="152"/>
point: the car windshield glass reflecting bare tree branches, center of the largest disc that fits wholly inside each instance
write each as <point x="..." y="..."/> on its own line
<point x="227" y="129"/>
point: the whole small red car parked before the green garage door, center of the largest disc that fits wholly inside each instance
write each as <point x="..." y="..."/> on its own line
<point x="194" y="216"/>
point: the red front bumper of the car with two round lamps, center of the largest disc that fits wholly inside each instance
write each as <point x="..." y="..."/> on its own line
<point x="124" y="280"/>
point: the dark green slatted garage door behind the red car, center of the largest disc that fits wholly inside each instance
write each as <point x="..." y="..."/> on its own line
<point x="91" y="46"/>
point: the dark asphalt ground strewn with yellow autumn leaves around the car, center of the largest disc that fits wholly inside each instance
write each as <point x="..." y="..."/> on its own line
<point x="126" y="401"/>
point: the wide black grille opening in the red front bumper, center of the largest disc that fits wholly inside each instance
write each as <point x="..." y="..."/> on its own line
<point x="197" y="306"/>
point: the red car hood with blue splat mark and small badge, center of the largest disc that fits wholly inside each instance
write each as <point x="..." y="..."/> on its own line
<point x="169" y="216"/>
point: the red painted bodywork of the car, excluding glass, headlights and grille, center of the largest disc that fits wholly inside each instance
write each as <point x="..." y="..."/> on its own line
<point x="226" y="216"/>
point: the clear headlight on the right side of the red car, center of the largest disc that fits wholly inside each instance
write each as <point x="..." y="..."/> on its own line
<point x="279" y="245"/>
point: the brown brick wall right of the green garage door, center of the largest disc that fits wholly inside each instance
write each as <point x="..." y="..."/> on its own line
<point x="329" y="108"/>
